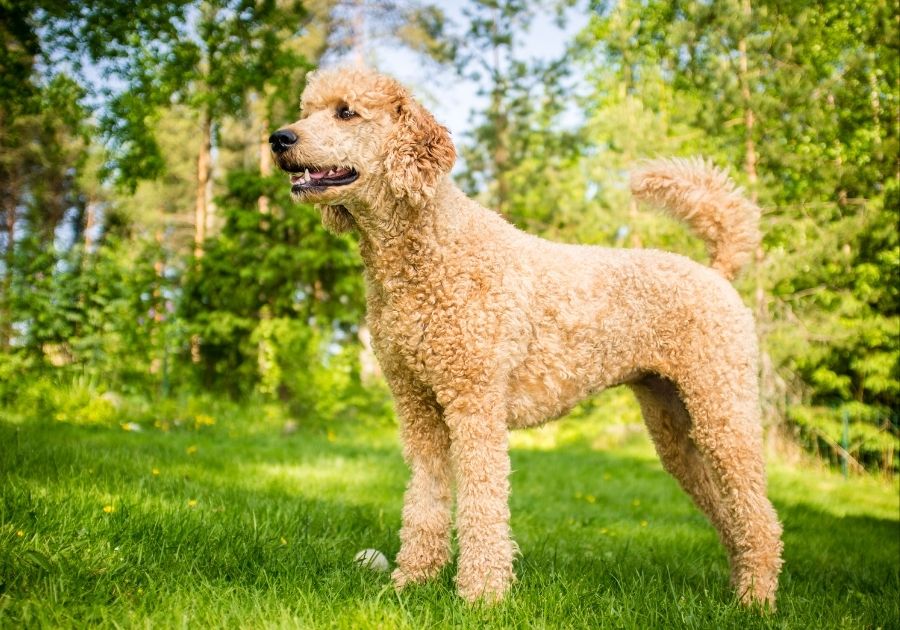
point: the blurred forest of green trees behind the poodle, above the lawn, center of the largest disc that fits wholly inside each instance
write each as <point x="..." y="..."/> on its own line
<point x="151" y="260"/>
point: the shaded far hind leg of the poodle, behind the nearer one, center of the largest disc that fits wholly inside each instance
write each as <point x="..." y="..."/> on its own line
<point x="669" y="426"/>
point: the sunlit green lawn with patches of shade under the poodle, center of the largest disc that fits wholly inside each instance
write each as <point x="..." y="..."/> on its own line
<point x="243" y="527"/>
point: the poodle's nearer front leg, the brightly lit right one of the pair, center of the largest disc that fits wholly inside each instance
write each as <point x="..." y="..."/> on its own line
<point x="479" y="450"/>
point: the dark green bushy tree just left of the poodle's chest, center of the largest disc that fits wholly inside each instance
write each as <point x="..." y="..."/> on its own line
<point x="270" y="293"/>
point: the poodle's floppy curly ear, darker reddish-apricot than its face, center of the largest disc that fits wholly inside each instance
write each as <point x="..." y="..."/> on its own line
<point x="418" y="152"/>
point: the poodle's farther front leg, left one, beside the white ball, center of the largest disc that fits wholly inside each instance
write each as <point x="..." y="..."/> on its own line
<point x="425" y="535"/>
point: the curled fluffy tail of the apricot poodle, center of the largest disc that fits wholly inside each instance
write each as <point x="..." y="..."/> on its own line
<point x="702" y="195"/>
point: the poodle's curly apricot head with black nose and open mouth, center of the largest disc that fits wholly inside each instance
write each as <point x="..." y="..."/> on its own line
<point x="362" y="144"/>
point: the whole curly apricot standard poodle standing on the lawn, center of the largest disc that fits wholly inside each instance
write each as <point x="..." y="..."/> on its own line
<point x="481" y="328"/>
